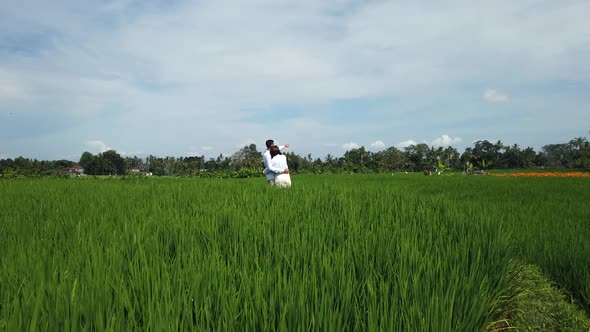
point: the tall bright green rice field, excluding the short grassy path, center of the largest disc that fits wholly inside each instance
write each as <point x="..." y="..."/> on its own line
<point x="335" y="252"/>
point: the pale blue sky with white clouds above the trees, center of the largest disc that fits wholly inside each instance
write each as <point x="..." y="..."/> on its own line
<point x="190" y="78"/>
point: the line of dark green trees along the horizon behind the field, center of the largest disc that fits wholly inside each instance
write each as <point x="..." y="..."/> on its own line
<point x="247" y="162"/>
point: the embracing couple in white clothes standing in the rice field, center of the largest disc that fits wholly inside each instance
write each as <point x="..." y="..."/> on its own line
<point x="275" y="163"/>
